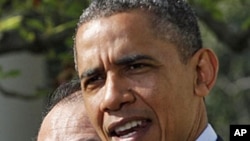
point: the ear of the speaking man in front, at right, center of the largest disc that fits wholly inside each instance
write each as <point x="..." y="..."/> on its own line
<point x="206" y="71"/>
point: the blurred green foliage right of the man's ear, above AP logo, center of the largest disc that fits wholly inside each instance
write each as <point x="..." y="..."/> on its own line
<point x="228" y="34"/>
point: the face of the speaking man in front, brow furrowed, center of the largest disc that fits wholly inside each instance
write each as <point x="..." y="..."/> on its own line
<point x="135" y="86"/>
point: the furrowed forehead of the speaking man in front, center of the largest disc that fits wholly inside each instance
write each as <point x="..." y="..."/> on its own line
<point x="114" y="36"/>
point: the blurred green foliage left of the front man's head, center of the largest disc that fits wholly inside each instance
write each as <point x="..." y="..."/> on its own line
<point x="42" y="27"/>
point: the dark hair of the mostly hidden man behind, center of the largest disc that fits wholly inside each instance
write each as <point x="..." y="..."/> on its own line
<point x="64" y="90"/>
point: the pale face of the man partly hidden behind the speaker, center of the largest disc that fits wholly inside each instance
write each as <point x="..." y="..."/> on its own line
<point x="67" y="122"/>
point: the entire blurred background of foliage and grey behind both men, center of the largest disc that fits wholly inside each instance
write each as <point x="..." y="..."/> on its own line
<point x="36" y="39"/>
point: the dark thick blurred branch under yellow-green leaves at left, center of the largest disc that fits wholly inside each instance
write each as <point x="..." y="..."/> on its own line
<point x="12" y="42"/>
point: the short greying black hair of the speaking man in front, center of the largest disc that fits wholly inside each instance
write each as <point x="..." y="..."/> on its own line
<point x="172" y="20"/>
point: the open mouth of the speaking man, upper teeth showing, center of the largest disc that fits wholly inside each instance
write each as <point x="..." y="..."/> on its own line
<point x="130" y="128"/>
